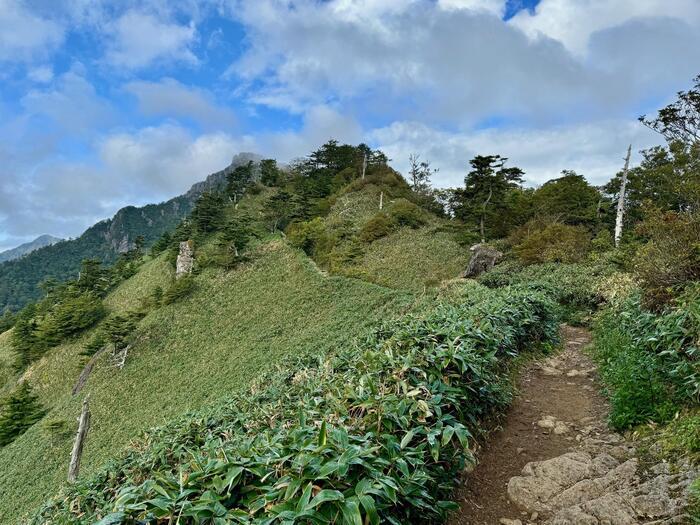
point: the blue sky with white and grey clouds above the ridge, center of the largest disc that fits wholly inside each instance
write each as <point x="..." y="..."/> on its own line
<point x="106" y="103"/>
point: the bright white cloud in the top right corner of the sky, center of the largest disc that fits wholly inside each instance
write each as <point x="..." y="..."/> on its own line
<point x="572" y="22"/>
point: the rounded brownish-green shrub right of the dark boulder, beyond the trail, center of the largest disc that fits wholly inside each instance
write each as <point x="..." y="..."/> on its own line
<point x="555" y="243"/>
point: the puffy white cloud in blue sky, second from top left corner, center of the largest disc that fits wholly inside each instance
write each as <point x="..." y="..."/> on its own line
<point x="139" y="39"/>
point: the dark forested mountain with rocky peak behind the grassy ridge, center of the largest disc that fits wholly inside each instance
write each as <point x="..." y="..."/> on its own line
<point x="104" y="241"/>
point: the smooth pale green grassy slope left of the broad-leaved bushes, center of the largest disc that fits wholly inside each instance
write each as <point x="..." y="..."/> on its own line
<point x="192" y="353"/>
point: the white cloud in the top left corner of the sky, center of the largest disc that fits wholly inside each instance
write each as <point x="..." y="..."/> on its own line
<point x="23" y="35"/>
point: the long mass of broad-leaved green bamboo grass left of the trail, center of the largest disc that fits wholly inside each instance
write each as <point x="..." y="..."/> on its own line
<point x="376" y="434"/>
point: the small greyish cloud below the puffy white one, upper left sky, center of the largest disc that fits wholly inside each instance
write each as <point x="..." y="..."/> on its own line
<point x="168" y="97"/>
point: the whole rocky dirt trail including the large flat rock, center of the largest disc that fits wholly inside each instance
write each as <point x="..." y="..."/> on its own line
<point x="556" y="463"/>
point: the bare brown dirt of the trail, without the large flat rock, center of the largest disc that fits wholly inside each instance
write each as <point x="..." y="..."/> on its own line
<point x="560" y="390"/>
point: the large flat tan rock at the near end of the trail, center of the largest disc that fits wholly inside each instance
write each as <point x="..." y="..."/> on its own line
<point x="601" y="484"/>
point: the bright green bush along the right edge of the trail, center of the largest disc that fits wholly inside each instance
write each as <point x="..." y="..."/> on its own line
<point x="648" y="361"/>
